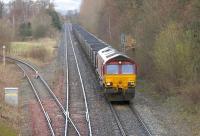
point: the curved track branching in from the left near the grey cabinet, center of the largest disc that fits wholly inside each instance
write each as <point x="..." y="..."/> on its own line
<point x="55" y="99"/>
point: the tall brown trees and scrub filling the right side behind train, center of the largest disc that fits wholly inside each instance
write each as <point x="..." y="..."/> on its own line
<point x="167" y="34"/>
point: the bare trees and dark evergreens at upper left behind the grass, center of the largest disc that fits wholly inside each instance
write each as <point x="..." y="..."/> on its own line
<point x="27" y="19"/>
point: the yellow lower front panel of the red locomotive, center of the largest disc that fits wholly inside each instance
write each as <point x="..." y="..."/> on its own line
<point x="119" y="81"/>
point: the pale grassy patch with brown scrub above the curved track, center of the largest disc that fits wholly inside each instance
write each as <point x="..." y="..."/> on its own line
<point x="38" y="52"/>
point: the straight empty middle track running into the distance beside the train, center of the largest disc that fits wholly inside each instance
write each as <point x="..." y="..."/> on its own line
<point x="76" y="104"/>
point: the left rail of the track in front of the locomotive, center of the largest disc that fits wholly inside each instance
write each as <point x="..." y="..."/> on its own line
<point x="117" y="120"/>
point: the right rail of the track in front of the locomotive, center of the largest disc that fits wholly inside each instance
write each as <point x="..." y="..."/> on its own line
<point x="139" y="118"/>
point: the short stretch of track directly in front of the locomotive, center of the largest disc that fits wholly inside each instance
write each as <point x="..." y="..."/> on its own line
<point x="128" y="120"/>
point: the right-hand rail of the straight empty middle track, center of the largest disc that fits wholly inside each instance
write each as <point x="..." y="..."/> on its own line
<point x="82" y="85"/>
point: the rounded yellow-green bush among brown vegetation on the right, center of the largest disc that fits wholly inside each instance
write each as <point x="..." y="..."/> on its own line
<point x="172" y="56"/>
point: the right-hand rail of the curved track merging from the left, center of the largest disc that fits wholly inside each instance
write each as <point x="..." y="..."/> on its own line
<point x="51" y="92"/>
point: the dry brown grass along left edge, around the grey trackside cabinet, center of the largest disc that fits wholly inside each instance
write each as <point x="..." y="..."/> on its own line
<point x="9" y="116"/>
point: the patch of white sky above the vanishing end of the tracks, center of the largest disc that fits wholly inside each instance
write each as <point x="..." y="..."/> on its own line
<point x="63" y="5"/>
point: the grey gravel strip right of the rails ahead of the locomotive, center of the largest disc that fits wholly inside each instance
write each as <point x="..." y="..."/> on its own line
<point x="153" y="115"/>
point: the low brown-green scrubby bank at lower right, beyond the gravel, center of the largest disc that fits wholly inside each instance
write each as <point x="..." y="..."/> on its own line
<point x="183" y="111"/>
